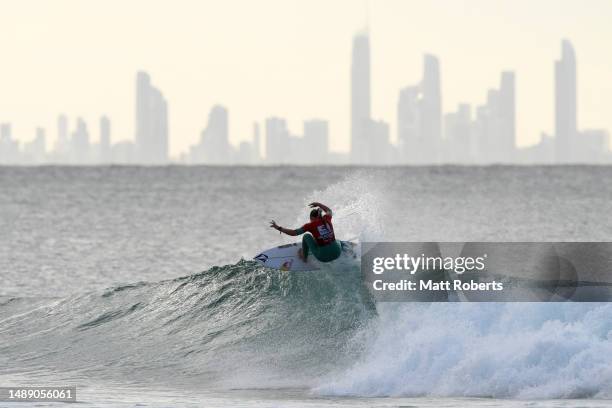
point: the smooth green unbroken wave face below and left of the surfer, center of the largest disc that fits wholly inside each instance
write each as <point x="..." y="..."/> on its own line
<point x="237" y="325"/>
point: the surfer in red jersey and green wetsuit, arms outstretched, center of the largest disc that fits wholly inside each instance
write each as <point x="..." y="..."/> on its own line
<point x="318" y="237"/>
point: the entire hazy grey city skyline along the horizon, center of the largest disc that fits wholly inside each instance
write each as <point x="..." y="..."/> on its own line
<point x="425" y="134"/>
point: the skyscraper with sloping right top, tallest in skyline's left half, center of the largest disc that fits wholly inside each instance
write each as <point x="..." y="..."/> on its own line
<point x="151" y="122"/>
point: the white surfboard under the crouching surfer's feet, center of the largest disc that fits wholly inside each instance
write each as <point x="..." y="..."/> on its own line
<point x="285" y="257"/>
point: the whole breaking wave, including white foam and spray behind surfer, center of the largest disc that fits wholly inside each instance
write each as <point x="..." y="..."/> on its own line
<point x="242" y="325"/>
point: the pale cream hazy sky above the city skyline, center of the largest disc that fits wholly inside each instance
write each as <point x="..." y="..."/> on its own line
<point x="289" y="58"/>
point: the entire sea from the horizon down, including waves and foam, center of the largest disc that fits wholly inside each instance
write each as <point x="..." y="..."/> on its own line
<point x="135" y="284"/>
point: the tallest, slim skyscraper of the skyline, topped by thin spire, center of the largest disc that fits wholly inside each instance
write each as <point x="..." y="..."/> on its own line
<point x="360" y="98"/>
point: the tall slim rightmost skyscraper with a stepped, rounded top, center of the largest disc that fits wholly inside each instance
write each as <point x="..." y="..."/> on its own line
<point x="565" y="103"/>
